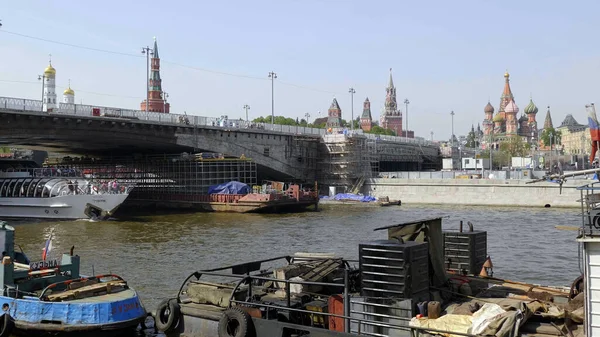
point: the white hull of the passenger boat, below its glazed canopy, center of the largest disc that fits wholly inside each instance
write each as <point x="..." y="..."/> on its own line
<point x="71" y="207"/>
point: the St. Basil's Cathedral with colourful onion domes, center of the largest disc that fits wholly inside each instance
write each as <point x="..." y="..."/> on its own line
<point x="505" y="123"/>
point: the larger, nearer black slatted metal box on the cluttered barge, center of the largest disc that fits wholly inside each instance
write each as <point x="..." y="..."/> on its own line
<point x="392" y="269"/>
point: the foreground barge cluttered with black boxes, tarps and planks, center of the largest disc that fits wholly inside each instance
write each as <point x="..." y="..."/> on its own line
<point x="417" y="279"/>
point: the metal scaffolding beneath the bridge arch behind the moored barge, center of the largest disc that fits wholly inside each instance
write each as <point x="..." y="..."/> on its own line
<point x="164" y="177"/>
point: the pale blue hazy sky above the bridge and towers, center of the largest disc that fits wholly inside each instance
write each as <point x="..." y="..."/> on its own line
<point x="216" y="55"/>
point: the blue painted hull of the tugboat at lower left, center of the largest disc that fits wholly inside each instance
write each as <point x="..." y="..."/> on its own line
<point x="108" y="313"/>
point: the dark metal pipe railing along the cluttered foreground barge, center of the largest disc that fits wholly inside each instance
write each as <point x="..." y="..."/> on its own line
<point x="244" y="277"/>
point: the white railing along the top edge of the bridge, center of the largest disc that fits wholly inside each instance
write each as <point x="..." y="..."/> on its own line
<point x="36" y="106"/>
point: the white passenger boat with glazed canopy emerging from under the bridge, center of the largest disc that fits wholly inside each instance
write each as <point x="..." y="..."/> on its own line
<point x="47" y="193"/>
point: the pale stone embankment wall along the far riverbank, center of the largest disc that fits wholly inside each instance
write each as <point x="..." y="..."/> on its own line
<point x="475" y="192"/>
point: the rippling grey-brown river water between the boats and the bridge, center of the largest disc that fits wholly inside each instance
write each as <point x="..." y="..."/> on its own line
<point x="155" y="252"/>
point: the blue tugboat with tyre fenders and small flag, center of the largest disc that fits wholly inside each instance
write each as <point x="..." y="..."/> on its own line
<point x="51" y="297"/>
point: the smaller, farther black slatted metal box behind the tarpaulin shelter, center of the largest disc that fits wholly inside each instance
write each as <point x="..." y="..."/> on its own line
<point x="465" y="252"/>
